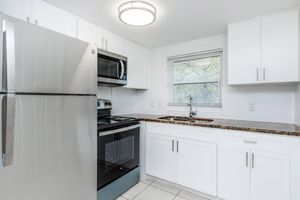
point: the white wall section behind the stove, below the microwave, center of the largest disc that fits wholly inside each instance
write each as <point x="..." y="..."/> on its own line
<point x="123" y="99"/>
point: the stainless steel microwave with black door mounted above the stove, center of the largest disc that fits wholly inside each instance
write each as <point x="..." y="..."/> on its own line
<point x="112" y="69"/>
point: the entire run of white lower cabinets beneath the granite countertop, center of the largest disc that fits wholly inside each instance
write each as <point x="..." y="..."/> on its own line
<point x="227" y="164"/>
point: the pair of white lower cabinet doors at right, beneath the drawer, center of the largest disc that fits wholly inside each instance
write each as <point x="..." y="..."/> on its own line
<point x="246" y="173"/>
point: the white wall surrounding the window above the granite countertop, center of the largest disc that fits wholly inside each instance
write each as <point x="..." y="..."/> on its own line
<point x="273" y="102"/>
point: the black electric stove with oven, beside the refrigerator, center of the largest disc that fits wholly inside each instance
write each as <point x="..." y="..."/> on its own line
<point x="118" y="149"/>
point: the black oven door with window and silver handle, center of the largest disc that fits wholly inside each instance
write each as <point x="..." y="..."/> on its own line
<point x="118" y="153"/>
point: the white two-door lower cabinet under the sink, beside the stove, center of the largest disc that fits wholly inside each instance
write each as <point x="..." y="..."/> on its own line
<point x="185" y="161"/>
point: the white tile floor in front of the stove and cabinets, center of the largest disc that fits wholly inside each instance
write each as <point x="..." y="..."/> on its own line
<point x="149" y="189"/>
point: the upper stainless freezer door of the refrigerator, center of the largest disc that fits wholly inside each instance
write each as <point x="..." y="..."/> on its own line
<point x="50" y="62"/>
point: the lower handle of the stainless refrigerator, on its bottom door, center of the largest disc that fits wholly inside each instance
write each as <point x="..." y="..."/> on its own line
<point x="8" y="129"/>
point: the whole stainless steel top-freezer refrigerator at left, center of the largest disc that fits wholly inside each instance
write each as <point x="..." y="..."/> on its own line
<point x="48" y="136"/>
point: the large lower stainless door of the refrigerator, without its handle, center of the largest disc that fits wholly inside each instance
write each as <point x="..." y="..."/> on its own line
<point x="54" y="150"/>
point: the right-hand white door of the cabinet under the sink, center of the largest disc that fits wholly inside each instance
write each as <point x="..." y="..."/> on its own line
<point x="196" y="165"/>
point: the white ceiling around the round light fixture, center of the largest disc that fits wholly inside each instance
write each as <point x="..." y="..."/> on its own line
<point x="178" y="20"/>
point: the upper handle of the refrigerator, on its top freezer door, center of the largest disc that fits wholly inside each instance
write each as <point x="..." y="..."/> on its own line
<point x="8" y="56"/>
